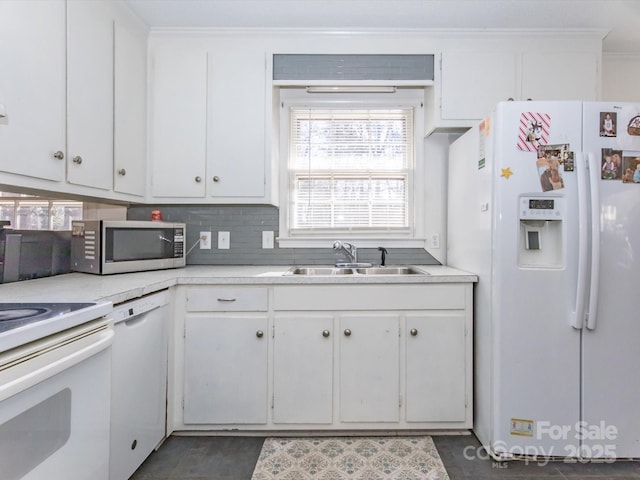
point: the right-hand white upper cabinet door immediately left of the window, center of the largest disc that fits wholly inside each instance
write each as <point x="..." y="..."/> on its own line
<point x="236" y="153"/>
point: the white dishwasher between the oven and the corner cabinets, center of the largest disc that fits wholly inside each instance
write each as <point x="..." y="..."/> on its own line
<point x="138" y="382"/>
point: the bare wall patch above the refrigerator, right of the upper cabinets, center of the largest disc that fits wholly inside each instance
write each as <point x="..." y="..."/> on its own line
<point x="621" y="78"/>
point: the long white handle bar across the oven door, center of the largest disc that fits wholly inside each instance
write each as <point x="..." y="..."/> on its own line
<point x="32" y="371"/>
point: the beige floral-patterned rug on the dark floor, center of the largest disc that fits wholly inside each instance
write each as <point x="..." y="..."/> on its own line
<point x="349" y="458"/>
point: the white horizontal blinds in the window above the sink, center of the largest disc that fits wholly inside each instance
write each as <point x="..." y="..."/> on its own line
<point x="350" y="169"/>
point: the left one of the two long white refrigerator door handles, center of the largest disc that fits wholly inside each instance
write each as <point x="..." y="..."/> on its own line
<point x="577" y="316"/>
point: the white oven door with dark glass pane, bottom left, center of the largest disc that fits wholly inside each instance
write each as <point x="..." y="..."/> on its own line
<point x="54" y="408"/>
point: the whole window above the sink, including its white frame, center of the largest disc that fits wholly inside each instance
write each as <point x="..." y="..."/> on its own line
<point x="349" y="166"/>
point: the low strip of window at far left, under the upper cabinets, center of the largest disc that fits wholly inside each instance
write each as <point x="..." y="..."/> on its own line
<point x="27" y="212"/>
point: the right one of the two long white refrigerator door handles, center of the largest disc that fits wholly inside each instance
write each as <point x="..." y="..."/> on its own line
<point x="594" y="189"/>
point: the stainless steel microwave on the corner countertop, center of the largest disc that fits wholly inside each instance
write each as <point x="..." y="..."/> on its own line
<point x="105" y="247"/>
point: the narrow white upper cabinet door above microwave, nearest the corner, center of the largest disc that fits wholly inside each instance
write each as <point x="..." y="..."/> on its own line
<point x="130" y="125"/>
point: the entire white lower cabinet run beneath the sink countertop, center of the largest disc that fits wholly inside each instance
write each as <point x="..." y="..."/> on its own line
<point x="328" y="357"/>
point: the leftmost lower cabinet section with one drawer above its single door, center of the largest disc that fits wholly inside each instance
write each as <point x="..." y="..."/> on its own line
<point x="225" y="356"/>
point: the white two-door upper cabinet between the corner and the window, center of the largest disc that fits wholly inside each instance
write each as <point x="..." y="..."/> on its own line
<point x="208" y="122"/>
